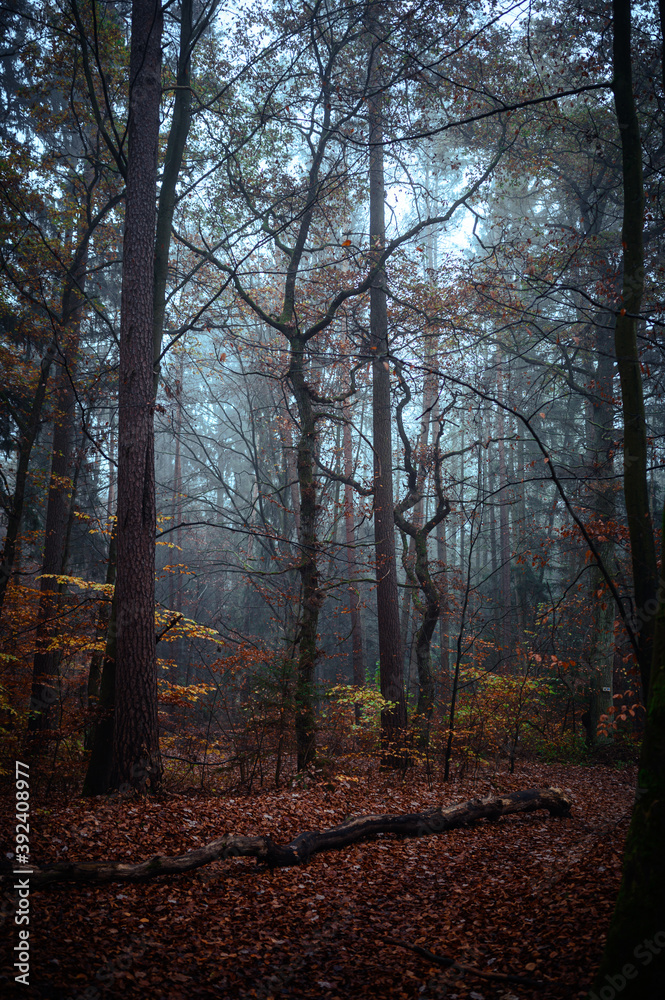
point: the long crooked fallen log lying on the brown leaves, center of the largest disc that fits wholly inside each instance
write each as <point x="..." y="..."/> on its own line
<point x="304" y="846"/>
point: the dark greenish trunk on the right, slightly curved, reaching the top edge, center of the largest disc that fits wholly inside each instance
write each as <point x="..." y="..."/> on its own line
<point x="635" y="482"/>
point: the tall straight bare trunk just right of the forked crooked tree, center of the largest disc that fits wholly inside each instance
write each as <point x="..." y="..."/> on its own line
<point x="393" y="720"/>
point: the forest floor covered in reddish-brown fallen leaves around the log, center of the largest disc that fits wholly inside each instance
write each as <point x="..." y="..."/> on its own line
<point x="529" y="895"/>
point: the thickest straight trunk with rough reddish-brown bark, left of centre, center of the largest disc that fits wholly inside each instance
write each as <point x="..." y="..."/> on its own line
<point x="136" y="758"/>
